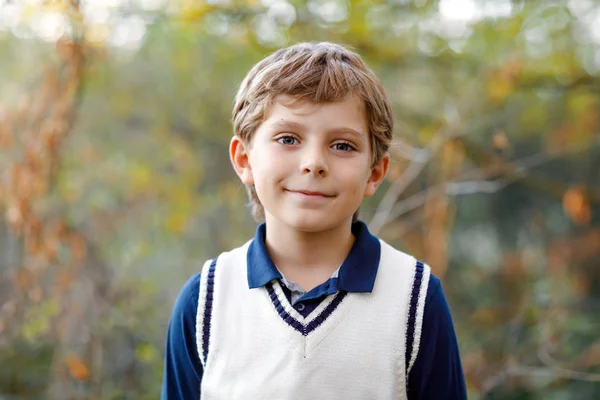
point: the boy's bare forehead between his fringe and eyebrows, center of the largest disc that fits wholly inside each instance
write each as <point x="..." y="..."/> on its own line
<point x="350" y="112"/>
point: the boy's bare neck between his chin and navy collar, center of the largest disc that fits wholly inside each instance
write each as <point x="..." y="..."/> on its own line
<point x="308" y="258"/>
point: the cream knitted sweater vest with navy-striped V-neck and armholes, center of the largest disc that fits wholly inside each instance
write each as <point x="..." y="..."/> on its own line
<point x="254" y="345"/>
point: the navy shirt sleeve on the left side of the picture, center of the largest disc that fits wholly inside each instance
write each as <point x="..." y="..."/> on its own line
<point x="183" y="370"/>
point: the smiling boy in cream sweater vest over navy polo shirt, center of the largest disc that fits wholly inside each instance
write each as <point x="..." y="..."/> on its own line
<point x="314" y="307"/>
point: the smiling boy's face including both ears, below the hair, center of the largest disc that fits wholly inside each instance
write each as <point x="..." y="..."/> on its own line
<point x="310" y="163"/>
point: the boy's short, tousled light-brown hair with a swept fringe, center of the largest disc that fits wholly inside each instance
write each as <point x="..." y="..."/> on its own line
<point x="320" y="73"/>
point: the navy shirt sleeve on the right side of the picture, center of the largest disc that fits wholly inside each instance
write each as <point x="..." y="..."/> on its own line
<point x="437" y="372"/>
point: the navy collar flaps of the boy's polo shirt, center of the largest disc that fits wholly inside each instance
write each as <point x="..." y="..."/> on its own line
<point x="357" y="273"/>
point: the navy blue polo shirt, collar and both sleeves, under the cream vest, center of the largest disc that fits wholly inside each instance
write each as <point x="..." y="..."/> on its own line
<point x="436" y="374"/>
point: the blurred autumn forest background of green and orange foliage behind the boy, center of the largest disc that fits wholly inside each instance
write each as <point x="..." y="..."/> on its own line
<point x="115" y="183"/>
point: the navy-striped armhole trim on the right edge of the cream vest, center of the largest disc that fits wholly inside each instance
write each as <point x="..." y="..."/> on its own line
<point x="415" y="313"/>
